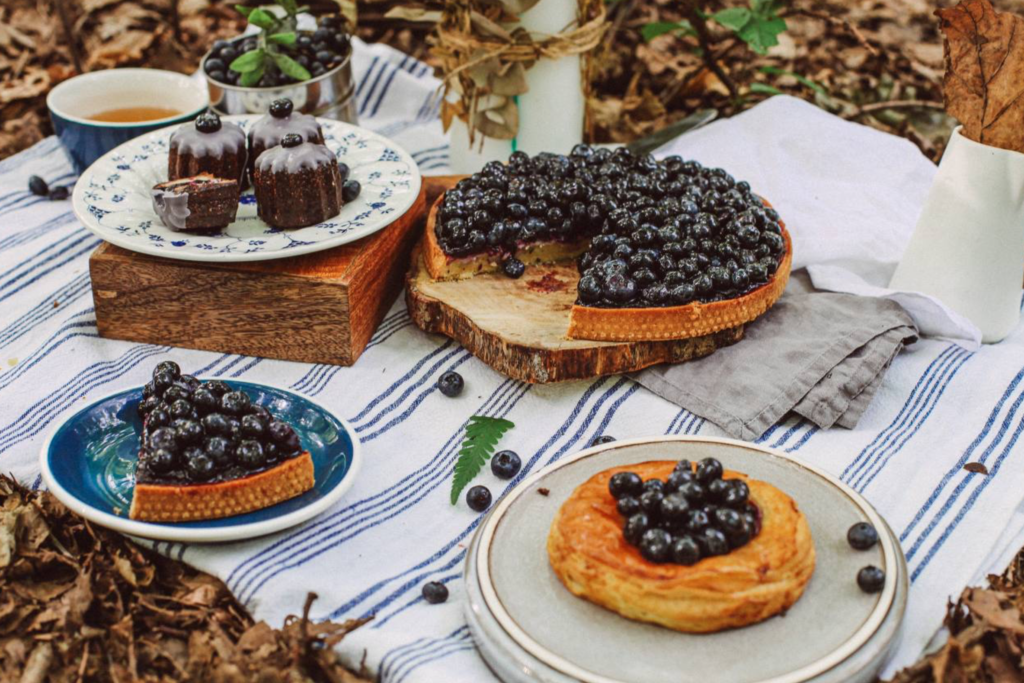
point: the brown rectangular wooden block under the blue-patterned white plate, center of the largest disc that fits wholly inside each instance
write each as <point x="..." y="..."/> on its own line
<point x="321" y="308"/>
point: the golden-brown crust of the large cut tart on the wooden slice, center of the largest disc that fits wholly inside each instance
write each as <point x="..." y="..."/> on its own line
<point x="688" y="322"/>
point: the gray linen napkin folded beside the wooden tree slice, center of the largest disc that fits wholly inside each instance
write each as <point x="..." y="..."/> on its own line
<point x="820" y="355"/>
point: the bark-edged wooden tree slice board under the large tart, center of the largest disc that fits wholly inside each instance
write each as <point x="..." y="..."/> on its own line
<point x="520" y="327"/>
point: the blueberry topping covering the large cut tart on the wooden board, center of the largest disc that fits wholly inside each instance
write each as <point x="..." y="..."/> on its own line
<point x="665" y="233"/>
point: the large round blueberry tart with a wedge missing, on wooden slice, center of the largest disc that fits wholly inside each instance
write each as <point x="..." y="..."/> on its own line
<point x="666" y="249"/>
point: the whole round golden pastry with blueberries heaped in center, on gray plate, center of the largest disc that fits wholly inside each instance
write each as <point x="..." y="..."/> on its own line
<point x="699" y="559"/>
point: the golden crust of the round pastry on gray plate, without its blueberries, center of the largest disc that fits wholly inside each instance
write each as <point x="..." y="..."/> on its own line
<point x="762" y="579"/>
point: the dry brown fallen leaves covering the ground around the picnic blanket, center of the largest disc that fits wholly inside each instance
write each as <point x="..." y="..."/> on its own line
<point x="79" y="604"/>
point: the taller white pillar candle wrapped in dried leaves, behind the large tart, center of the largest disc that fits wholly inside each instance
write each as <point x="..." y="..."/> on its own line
<point x="551" y="114"/>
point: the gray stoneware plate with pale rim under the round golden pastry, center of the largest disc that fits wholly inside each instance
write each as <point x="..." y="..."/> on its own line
<point x="530" y="628"/>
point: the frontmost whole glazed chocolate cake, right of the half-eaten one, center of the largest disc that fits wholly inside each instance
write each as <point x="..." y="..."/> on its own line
<point x="297" y="184"/>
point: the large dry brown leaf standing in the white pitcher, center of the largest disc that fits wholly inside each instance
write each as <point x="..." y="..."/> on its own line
<point x="985" y="80"/>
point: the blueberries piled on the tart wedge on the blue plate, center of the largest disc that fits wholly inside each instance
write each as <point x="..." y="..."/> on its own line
<point x="204" y="432"/>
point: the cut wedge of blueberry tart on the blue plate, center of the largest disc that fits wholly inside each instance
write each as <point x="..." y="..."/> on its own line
<point x="208" y="452"/>
